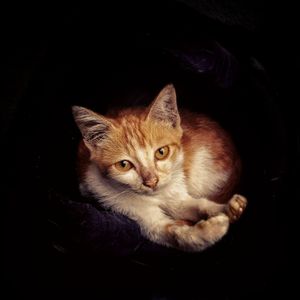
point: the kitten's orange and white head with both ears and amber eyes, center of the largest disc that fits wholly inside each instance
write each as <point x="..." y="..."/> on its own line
<point x="140" y="149"/>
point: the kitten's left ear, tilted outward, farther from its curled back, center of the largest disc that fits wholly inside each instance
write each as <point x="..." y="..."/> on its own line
<point x="92" y="126"/>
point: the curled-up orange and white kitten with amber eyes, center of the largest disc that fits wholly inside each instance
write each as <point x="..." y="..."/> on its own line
<point x="173" y="173"/>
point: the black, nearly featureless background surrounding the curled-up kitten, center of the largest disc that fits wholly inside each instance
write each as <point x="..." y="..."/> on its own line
<point x="123" y="54"/>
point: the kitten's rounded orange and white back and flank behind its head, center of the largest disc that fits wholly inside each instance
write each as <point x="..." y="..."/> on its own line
<point x="211" y="163"/>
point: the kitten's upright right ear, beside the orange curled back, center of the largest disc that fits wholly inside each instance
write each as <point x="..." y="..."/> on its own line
<point x="164" y="107"/>
